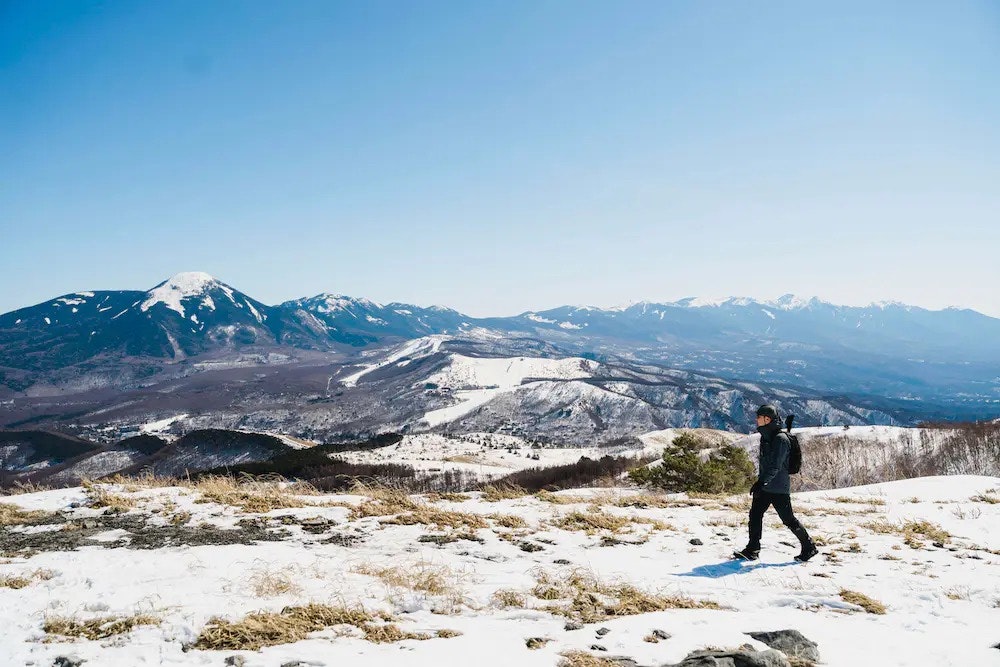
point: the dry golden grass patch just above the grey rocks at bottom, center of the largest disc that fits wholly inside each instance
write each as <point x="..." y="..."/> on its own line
<point x="581" y="596"/>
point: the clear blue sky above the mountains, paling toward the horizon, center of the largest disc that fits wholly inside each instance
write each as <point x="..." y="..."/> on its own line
<point x="503" y="156"/>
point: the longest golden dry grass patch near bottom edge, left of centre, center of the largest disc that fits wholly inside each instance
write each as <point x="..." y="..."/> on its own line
<point x="292" y="624"/>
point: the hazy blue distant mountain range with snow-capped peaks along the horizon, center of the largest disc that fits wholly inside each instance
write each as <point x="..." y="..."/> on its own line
<point x="901" y="362"/>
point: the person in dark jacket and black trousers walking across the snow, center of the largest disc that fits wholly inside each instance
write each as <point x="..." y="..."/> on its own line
<point x="773" y="487"/>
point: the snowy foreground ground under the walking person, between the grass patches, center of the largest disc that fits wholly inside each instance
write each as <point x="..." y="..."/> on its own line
<point x="940" y="600"/>
